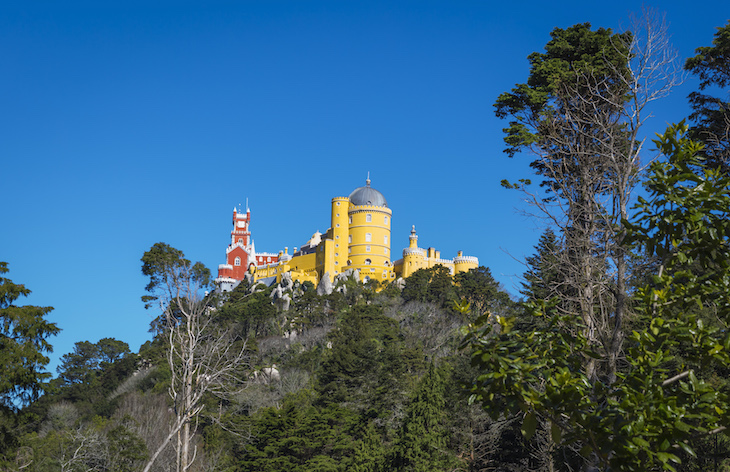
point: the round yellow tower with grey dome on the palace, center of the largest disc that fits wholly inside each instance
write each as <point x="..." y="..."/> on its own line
<point x="369" y="221"/>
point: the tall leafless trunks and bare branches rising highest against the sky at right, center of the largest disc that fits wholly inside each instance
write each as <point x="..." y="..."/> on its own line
<point x="589" y="152"/>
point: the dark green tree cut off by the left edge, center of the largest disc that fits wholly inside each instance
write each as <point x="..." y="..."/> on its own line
<point x="24" y="334"/>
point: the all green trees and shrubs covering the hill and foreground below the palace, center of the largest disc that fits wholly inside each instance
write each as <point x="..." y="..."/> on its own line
<point x="616" y="358"/>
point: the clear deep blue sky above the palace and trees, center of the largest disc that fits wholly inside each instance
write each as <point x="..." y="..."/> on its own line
<point x="125" y="123"/>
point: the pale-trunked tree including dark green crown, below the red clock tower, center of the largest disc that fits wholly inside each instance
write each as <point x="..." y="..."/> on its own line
<point x="204" y="358"/>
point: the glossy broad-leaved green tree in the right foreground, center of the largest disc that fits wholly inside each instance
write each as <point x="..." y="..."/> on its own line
<point x="660" y="405"/>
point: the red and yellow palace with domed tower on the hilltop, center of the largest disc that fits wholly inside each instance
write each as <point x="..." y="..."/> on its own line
<point x="358" y="239"/>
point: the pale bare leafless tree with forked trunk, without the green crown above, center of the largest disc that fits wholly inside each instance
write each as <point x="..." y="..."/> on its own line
<point x="203" y="358"/>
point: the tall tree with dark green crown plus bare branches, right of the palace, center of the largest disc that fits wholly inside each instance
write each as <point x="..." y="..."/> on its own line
<point x="579" y="114"/>
